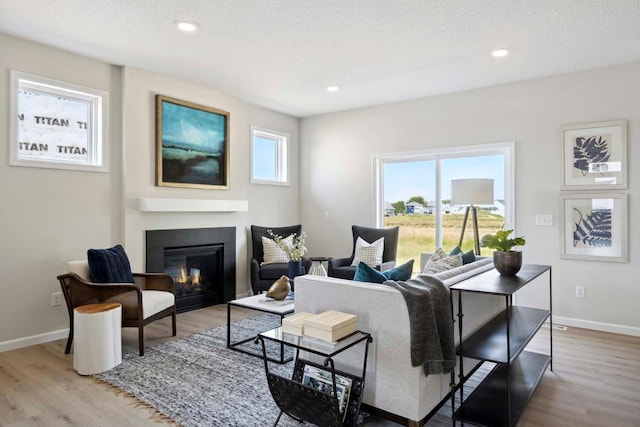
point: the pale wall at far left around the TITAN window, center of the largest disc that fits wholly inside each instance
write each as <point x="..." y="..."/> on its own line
<point x="51" y="216"/>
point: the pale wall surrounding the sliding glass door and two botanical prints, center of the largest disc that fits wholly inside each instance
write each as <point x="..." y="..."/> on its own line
<point x="337" y="172"/>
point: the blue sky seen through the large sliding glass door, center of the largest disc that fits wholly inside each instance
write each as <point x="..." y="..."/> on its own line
<point x="404" y="180"/>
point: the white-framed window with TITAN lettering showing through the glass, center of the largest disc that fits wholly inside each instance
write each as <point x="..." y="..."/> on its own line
<point x="56" y="124"/>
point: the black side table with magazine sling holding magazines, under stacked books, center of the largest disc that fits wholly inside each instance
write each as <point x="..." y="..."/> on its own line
<point x="305" y="403"/>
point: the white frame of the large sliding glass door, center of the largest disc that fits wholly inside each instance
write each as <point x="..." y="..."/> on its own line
<point x="507" y="149"/>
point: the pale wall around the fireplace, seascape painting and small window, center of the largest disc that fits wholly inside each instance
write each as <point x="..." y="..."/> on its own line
<point x="268" y="205"/>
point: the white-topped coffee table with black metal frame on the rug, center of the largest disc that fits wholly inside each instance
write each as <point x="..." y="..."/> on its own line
<point x="262" y="304"/>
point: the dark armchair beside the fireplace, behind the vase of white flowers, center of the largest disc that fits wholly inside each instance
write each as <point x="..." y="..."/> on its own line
<point x="263" y="276"/>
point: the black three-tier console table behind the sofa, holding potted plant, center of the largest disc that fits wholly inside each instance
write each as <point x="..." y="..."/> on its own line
<point x="502" y="396"/>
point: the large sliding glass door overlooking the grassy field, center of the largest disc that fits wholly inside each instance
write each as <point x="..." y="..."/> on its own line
<point x="413" y="191"/>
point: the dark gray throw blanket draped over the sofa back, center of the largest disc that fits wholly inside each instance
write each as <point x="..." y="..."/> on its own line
<point x="431" y="322"/>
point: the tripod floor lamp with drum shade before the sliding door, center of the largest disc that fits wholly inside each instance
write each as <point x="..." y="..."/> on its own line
<point x="471" y="192"/>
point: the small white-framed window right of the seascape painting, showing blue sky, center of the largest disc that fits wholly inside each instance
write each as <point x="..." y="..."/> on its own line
<point x="268" y="157"/>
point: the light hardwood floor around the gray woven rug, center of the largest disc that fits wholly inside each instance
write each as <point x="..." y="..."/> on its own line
<point x="595" y="381"/>
